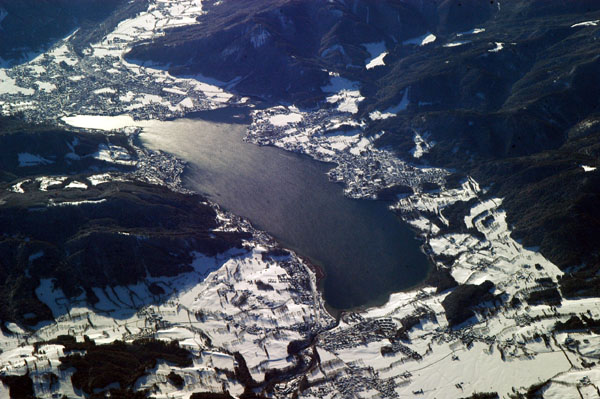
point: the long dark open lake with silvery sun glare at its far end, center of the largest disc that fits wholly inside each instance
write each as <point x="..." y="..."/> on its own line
<point x="365" y="250"/>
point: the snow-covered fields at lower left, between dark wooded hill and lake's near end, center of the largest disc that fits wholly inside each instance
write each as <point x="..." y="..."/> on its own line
<point x="214" y="311"/>
